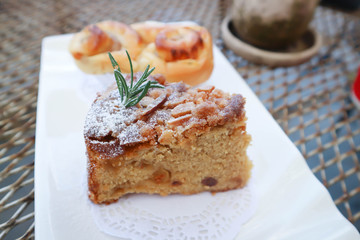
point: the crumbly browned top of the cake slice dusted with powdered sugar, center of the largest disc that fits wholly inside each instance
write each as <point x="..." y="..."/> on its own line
<point x="169" y="115"/>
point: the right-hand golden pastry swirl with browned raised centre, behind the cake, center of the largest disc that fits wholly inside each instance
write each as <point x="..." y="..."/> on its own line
<point x="181" y="52"/>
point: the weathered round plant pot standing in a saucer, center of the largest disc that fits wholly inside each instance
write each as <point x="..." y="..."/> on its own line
<point x="272" y="24"/>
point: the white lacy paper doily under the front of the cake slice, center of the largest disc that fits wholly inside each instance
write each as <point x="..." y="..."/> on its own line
<point x="199" y="216"/>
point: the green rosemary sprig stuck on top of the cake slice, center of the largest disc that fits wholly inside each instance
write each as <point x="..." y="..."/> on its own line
<point x="131" y="95"/>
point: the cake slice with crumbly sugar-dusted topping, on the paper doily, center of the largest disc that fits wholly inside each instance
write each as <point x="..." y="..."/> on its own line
<point x="175" y="140"/>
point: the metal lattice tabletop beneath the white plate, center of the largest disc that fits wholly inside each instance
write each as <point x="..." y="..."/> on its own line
<point x="311" y="102"/>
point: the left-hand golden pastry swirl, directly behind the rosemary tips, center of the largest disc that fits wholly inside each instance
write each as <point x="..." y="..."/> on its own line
<point x="90" y="47"/>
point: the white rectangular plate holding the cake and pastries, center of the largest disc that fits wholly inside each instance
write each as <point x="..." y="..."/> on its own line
<point x="292" y="203"/>
